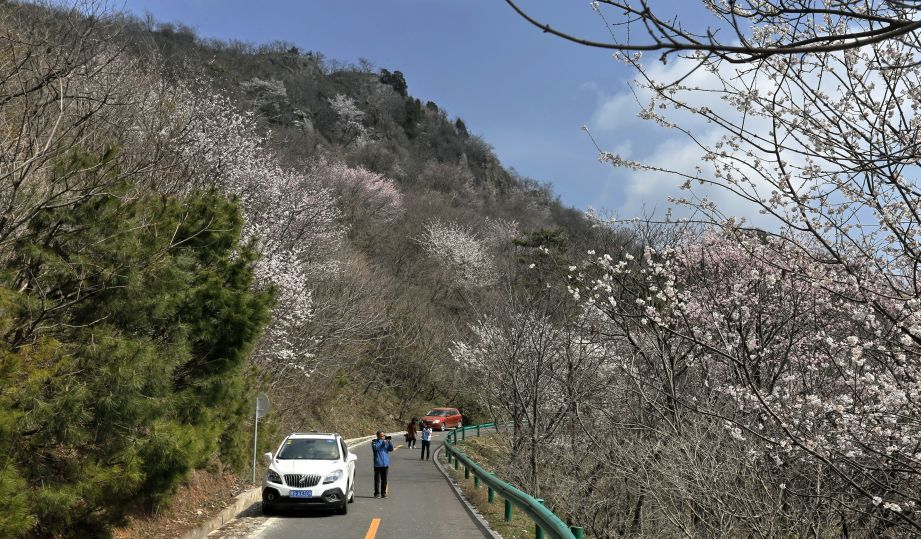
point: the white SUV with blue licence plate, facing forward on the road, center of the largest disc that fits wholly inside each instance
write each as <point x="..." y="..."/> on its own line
<point x="310" y="469"/>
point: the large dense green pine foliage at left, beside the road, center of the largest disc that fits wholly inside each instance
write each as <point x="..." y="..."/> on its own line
<point x="125" y="325"/>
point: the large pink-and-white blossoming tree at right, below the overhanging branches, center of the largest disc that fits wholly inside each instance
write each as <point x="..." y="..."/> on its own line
<point x="750" y="330"/>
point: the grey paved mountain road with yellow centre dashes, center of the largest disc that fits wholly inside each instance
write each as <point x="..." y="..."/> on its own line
<point x="420" y="504"/>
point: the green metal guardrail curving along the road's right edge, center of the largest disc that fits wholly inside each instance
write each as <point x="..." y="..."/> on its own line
<point x="545" y="521"/>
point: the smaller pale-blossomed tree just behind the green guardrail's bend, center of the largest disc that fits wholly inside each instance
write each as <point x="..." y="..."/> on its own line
<point x="533" y="366"/>
